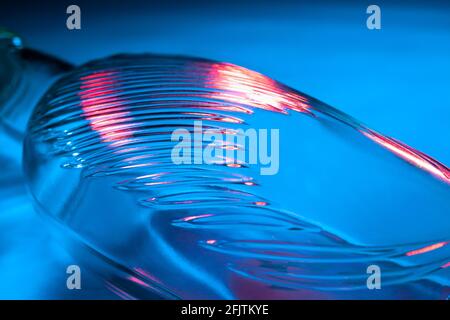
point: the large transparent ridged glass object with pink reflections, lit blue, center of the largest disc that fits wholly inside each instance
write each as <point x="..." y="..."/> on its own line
<point x="98" y="160"/>
